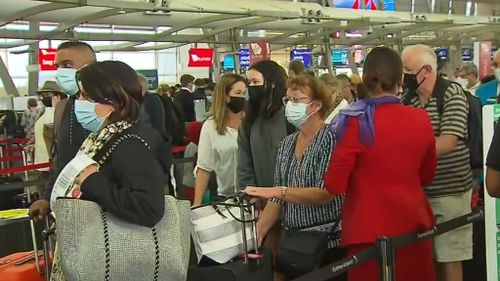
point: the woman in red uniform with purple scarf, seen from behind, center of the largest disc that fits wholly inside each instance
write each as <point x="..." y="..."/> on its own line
<point x="385" y="153"/>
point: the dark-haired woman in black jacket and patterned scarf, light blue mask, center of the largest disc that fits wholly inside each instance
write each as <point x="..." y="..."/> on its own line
<point x="126" y="178"/>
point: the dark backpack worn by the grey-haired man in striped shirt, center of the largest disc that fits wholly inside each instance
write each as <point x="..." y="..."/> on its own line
<point x="474" y="121"/>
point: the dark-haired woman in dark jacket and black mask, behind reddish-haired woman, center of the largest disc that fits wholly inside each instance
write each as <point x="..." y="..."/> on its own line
<point x="265" y="125"/>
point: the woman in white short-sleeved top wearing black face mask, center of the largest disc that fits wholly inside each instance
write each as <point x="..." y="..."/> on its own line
<point x="218" y="147"/>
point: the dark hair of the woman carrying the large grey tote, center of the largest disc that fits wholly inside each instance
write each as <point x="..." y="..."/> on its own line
<point x="114" y="83"/>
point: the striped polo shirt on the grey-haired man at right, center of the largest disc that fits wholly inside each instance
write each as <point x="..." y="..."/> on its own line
<point x="454" y="173"/>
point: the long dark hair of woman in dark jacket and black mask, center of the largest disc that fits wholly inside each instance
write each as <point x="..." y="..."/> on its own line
<point x="275" y="84"/>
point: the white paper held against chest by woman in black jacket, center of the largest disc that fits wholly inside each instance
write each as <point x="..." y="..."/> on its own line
<point x="68" y="175"/>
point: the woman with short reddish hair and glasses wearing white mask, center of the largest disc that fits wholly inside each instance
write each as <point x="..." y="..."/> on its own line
<point x="299" y="195"/>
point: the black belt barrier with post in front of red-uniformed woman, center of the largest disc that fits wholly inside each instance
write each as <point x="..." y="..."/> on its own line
<point x="383" y="251"/>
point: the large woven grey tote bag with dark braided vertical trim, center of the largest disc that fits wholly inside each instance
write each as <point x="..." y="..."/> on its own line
<point x="97" y="245"/>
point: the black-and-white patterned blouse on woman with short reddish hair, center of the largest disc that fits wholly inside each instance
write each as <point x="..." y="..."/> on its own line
<point x="308" y="171"/>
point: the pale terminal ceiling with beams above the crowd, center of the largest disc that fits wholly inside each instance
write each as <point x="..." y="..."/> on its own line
<point x="140" y="25"/>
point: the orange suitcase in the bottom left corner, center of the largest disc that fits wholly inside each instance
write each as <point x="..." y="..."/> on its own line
<point x="28" y="266"/>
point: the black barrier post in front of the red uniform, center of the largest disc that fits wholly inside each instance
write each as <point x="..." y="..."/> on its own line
<point x="386" y="259"/>
